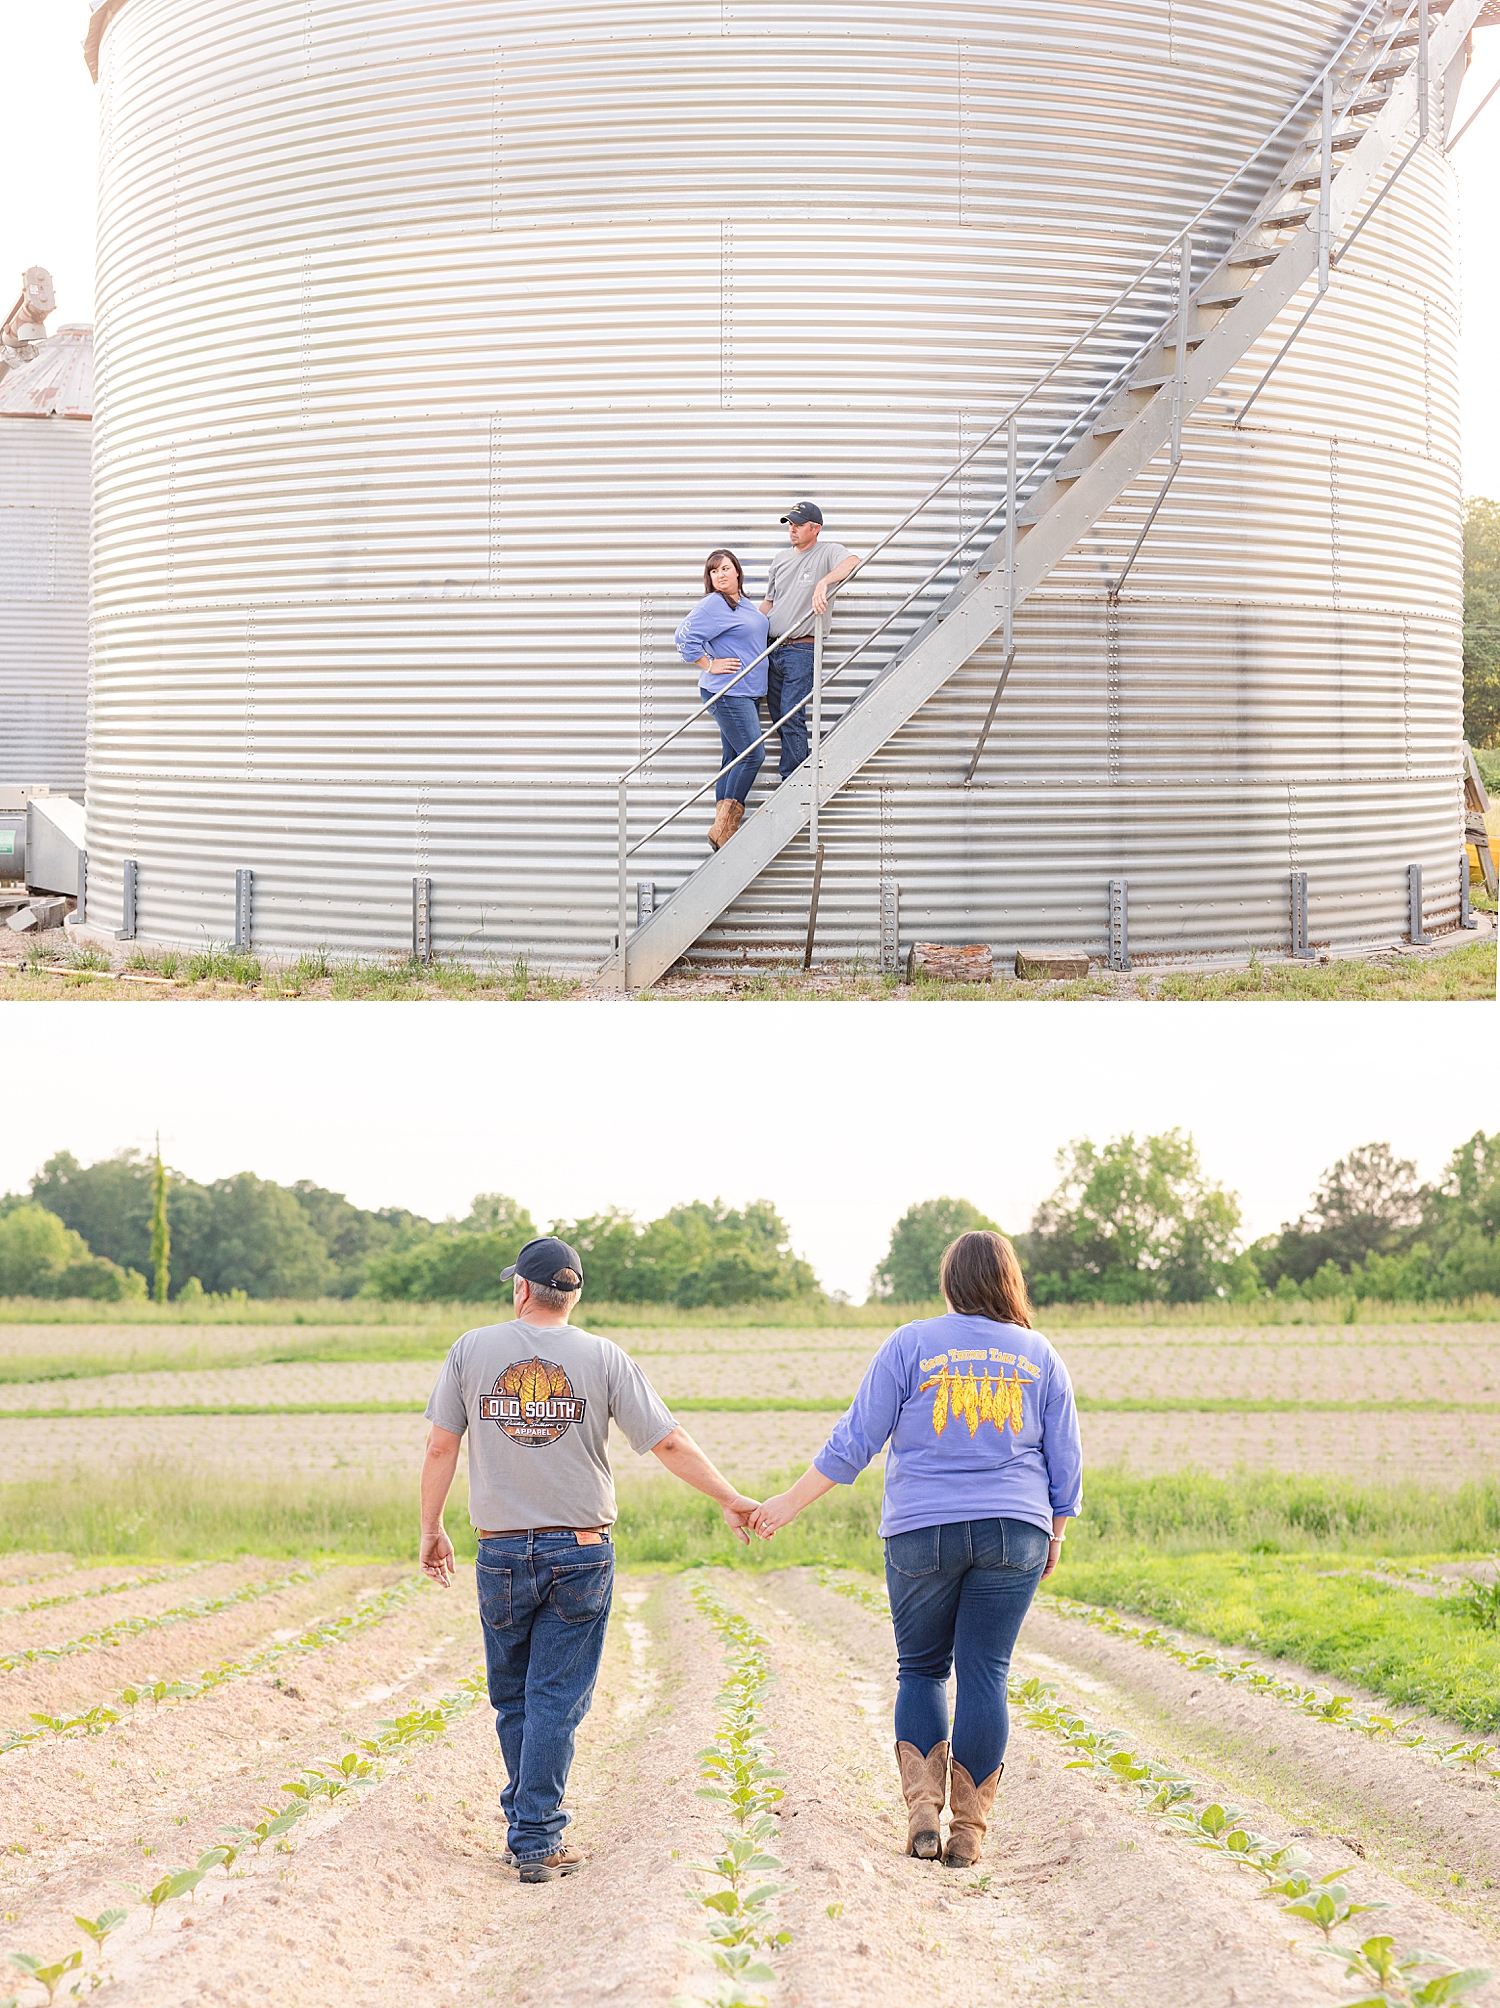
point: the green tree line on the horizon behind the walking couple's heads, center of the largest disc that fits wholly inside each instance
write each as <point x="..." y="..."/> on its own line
<point x="1136" y="1220"/>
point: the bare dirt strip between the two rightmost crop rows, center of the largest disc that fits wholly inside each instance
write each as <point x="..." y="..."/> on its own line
<point x="1417" y="1820"/>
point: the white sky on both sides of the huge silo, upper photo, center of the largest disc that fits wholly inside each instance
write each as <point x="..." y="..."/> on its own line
<point x="47" y="216"/>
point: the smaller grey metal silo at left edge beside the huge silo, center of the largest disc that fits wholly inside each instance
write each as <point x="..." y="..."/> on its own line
<point x="45" y="529"/>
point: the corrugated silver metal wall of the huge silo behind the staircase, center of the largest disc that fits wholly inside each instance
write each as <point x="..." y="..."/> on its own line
<point x="489" y="320"/>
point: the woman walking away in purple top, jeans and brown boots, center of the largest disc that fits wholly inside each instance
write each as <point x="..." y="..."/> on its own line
<point x="983" y="1477"/>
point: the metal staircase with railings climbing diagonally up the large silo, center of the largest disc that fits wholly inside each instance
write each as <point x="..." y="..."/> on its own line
<point x="1356" y="111"/>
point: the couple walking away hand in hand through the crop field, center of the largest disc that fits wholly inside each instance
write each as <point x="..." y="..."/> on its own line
<point x="983" y="1473"/>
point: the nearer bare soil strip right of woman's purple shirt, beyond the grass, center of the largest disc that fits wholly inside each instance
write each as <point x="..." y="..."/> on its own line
<point x="1437" y="1451"/>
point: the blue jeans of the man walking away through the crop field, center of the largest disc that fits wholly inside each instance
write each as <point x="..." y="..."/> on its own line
<point x="545" y="1609"/>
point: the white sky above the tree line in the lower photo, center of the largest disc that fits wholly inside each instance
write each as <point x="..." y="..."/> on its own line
<point x="573" y="1107"/>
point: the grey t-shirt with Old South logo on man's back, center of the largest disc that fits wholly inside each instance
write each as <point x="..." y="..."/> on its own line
<point x="537" y="1403"/>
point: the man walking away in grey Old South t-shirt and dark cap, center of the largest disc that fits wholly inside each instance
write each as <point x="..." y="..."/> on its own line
<point x="537" y="1401"/>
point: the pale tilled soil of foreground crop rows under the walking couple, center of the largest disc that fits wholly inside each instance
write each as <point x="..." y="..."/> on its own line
<point x="401" y="1893"/>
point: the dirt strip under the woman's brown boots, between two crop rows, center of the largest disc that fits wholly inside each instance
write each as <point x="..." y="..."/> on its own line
<point x="1091" y="1905"/>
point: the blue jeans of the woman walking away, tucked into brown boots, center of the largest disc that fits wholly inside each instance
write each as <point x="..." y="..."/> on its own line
<point x="959" y="1595"/>
